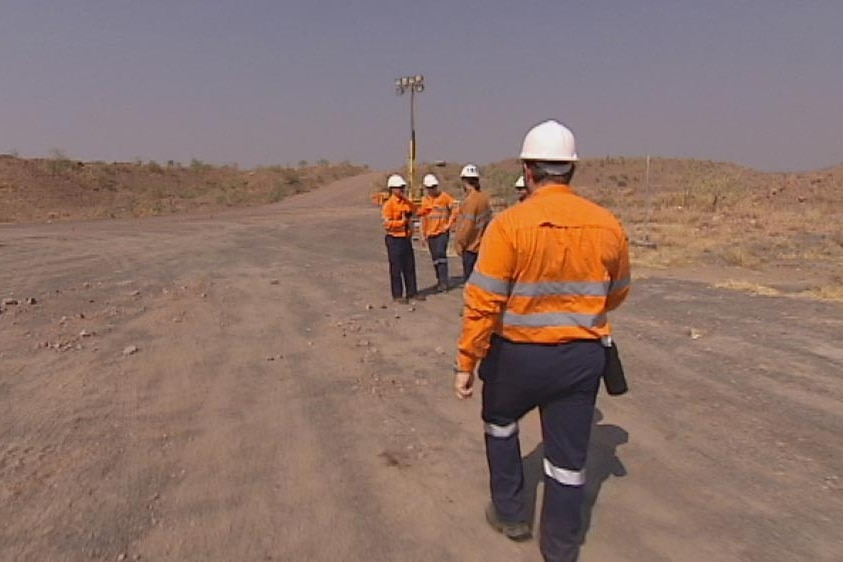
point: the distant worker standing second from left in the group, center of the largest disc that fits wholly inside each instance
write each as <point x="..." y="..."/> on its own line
<point x="437" y="215"/>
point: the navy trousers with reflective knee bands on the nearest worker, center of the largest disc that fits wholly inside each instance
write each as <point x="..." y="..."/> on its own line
<point x="562" y="381"/>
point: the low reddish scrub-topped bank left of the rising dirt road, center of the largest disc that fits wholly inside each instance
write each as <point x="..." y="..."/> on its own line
<point x="86" y="190"/>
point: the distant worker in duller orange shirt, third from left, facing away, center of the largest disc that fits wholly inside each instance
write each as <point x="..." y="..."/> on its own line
<point x="475" y="214"/>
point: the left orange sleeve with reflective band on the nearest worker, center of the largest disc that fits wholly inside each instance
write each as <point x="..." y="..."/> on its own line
<point x="485" y="295"/>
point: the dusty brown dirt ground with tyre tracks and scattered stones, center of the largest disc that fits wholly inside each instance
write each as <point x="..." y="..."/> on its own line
<point x="239" y="387"/>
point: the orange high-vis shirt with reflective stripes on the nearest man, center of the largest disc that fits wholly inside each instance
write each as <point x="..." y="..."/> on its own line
<point x="548" y="272"/>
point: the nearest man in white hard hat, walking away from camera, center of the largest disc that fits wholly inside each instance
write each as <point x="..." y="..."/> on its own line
<point x="535" y="312"/>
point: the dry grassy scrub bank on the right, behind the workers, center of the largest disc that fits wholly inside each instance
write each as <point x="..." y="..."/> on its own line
<point x="703" y="212"/>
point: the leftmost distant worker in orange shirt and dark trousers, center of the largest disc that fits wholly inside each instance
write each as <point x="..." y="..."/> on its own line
<point x="397" y="220"/>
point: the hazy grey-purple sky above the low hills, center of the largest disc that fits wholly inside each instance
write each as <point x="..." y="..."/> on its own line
<point x="757" y="82"/>
